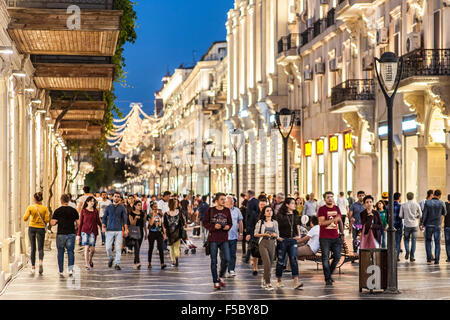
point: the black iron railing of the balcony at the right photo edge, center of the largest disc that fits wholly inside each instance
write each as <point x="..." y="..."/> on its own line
<point x="426" y="62"/>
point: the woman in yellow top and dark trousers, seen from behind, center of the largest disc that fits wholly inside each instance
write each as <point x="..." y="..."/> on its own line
<point x="38" y="214"/>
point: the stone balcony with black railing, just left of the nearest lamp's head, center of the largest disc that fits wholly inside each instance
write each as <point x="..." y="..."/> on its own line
<point x="349" y="95"/>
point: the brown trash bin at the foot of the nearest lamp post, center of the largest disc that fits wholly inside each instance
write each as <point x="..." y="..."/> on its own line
<point x="372" y="269"/>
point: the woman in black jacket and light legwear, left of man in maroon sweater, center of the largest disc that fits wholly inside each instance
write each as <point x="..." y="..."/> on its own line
<point x="174" y="225"/>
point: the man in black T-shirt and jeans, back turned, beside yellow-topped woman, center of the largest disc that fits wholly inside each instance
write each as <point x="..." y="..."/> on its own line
<point x="67" y="218"/>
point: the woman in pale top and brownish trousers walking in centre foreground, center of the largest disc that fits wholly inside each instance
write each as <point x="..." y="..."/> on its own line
<point x="267" y="231"/>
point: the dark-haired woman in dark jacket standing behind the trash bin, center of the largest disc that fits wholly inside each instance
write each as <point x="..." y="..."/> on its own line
<point x="372" y="225"/>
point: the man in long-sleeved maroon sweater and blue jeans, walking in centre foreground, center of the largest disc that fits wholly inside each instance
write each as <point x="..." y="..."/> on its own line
<point x="218" y="221"/>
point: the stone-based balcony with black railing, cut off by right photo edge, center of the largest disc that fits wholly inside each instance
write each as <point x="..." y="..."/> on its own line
<point x="423" y="67"/>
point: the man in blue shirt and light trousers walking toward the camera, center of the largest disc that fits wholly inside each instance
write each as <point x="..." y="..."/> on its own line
<point x="114" y="219"/>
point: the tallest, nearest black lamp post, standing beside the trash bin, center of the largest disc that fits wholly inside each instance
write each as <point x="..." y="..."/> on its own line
<point x="391" y="68"/>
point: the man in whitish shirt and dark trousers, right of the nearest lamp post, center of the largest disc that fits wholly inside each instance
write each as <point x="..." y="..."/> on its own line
<point x="411" y="214"/>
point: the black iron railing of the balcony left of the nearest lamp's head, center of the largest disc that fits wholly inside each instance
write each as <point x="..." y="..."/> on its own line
<point x="353" y="90"/>
